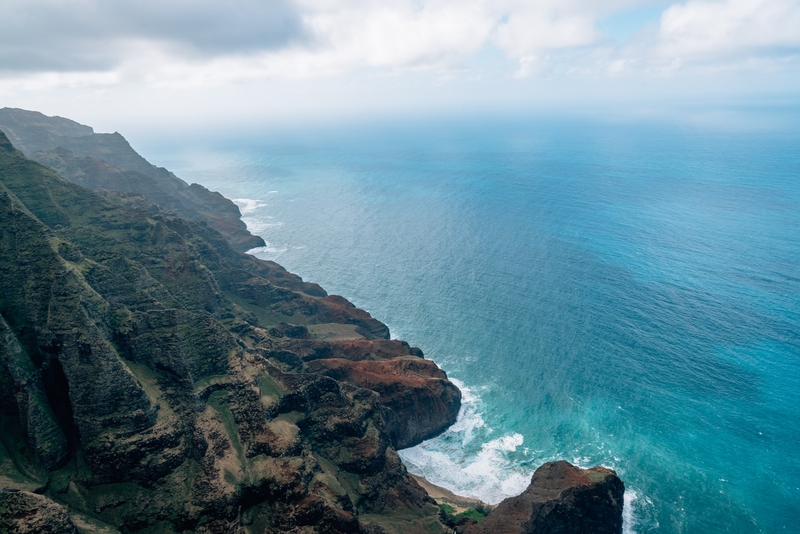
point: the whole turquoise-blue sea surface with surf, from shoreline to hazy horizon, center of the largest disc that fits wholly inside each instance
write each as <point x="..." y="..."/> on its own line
<point x="624" y="294"/>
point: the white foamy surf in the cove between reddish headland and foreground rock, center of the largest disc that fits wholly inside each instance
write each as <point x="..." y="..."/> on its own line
<point x="449" y="460"/>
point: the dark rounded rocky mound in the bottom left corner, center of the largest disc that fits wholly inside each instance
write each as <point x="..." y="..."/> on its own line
<point x="22" y="512"/>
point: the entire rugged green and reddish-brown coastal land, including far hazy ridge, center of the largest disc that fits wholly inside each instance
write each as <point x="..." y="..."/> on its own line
<point x="155" y="378"/>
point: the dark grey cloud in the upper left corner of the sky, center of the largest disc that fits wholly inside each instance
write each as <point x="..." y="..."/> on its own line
<point x="87" y="35"/>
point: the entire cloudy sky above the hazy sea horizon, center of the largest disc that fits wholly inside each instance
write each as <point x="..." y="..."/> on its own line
<point x="199" y="62"/>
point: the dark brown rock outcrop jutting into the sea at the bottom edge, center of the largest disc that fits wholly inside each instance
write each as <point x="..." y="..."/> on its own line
<point x="561" y="499"/>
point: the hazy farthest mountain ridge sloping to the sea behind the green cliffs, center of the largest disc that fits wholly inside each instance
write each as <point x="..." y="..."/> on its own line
<point x="107" y="161"/>
